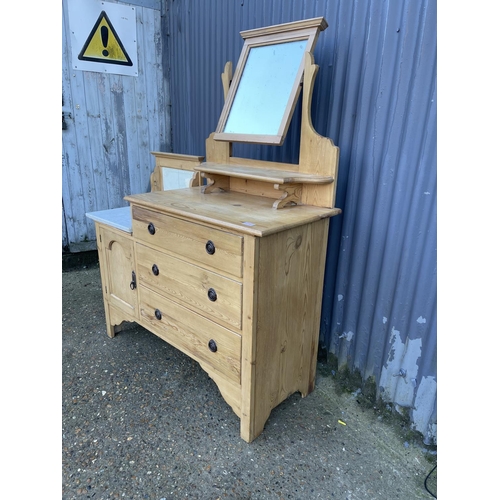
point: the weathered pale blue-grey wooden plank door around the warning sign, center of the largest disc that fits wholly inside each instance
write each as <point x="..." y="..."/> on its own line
<point x="113" y="123"/>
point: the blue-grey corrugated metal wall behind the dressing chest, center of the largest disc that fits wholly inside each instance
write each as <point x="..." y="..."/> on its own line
<point x="375" y="96"/>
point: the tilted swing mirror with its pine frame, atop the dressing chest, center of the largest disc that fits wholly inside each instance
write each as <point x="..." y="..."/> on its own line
<point x="266" y="83"/>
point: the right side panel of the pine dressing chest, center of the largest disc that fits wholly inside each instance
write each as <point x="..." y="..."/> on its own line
<point x="289" y="289"/>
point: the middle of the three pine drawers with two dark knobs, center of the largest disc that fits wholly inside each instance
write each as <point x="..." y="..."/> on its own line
<point x="212" y="295"/>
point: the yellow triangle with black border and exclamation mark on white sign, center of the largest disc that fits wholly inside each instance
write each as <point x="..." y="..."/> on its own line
<point x="104" y="45"/>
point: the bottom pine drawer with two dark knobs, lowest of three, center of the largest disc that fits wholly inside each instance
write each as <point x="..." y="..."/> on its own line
<point x="196" y="336"/>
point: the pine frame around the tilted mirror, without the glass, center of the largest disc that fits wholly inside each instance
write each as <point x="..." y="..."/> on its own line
<point x="289" y="32"/>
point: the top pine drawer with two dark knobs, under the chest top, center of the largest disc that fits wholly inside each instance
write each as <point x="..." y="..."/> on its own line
<point x="211" y="247"/>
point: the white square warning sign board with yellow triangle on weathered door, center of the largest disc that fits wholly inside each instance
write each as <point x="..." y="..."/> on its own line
<point x="103" y="37"/>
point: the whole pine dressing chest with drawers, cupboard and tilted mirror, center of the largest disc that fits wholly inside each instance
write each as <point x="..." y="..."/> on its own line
<point x="230" y="270"/>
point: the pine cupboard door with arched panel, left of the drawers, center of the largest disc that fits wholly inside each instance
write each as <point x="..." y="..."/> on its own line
<point x="121" y="282"/>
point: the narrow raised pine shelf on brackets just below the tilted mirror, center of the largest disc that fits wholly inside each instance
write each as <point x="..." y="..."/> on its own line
<point x="274" y="176"/>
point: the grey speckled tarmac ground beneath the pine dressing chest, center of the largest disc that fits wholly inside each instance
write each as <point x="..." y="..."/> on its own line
<point x="141" y="420"/>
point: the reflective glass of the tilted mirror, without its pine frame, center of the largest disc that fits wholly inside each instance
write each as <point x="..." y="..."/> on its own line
<point x="265" y="88"/>
